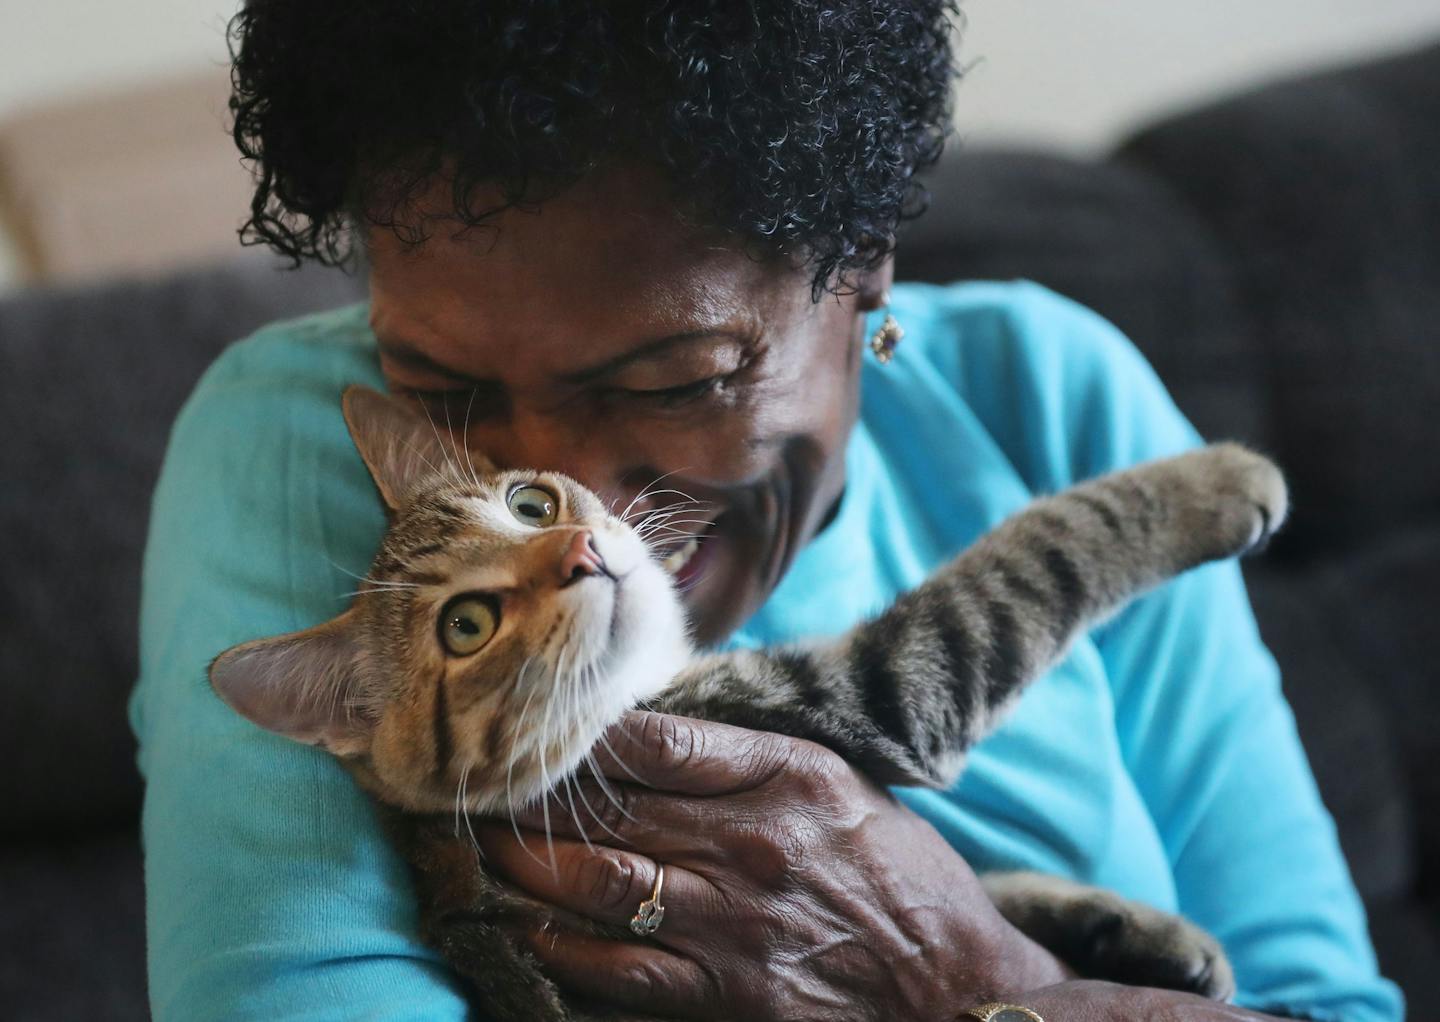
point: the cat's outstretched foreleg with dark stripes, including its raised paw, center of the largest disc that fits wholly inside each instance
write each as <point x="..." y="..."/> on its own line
<point x="906" y="695"/>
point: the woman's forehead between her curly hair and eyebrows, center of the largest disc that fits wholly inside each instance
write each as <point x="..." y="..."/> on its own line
<point x="603" y="268"/>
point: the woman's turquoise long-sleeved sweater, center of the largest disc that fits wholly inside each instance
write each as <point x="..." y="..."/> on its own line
<point x="1160" y="759"/>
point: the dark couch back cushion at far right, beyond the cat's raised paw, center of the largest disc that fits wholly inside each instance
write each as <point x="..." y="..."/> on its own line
<point x="1326" y="194"/>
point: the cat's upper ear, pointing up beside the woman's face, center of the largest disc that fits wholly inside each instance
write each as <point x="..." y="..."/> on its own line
<point x="400" y="446"/>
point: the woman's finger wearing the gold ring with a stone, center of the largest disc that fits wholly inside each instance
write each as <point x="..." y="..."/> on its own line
<point x="604" y="885"/>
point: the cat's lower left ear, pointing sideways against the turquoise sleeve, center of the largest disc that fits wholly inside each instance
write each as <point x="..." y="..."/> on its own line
<point x="300" y="686"/>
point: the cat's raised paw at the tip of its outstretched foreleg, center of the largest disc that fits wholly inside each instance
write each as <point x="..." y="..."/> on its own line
<point x="1243" y="493"/>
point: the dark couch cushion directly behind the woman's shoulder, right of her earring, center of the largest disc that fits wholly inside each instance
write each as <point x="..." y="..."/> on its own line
<point x="1114" y="240"/>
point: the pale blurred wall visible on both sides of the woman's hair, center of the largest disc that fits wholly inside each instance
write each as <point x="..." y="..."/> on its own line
<point x="1069" y="74"/>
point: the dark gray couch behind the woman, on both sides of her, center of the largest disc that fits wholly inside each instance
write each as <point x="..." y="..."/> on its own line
<point x="1278" y="258"/>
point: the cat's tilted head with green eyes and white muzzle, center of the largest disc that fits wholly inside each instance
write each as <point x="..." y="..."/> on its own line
<point x="508" y="620"/>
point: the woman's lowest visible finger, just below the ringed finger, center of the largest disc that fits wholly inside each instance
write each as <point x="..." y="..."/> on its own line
<point x="629" y="975"/>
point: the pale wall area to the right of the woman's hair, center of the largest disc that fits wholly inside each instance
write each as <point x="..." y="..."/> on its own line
<point x="1076" y="74"/>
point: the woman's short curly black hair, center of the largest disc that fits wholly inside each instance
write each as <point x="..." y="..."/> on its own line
<point x="797" y="126"/>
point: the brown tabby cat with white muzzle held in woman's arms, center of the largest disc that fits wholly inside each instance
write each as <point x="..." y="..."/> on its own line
<point x="509" y="618"/>
